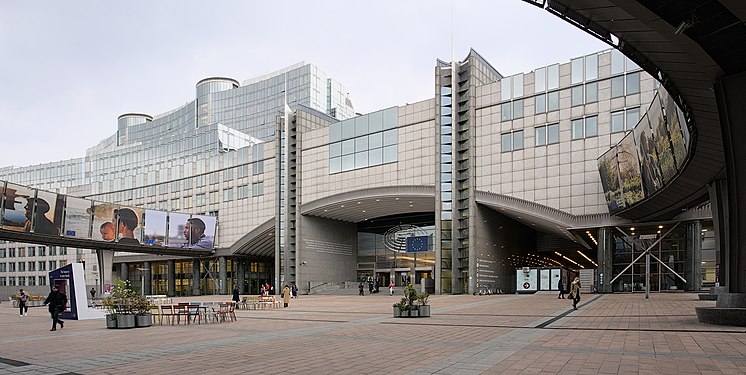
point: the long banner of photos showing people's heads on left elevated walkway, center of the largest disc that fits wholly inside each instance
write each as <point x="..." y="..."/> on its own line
<point x="23" y="209"/>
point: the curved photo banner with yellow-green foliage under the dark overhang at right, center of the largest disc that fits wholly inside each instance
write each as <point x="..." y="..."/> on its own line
<point x="648" y="157"/>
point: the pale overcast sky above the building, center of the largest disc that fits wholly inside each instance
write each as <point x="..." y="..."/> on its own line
<point x="70" y="68"/>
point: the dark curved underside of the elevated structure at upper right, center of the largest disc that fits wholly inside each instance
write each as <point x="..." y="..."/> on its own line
<point x="688" y="60"/>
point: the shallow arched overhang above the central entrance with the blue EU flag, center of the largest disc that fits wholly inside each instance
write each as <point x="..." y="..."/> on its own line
<point x="360" y="205"/>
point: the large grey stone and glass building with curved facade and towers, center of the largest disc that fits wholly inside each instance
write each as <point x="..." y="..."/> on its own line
<point x="457" y="191"/>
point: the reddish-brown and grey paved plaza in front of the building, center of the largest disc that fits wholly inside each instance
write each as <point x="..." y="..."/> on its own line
<point x="501" y="334"/>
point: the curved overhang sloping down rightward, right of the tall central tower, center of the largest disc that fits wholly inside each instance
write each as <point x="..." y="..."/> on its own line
<point x="544" y="218"/>
